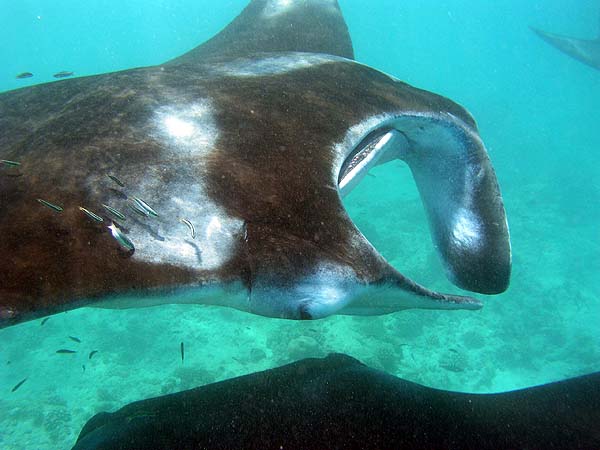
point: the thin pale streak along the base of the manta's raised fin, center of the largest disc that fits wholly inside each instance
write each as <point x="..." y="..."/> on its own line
<point x="274" y="65"/>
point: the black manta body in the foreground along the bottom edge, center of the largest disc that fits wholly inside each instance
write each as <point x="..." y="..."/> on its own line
<point x="337" y="402"/>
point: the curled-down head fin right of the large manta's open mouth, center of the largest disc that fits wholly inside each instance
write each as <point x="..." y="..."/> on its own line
<point x="462" y="199"/>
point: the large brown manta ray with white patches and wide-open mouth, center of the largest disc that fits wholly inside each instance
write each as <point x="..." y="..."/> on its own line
<point x="217" y="178"/>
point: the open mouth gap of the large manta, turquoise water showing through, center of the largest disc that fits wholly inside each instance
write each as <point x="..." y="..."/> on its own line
<point x="373" y="177"/>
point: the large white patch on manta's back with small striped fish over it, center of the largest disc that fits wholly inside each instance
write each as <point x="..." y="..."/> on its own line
<point x="176" y="189"/>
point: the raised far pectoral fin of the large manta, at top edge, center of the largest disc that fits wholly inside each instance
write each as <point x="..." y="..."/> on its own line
<point x="265" y="26"/>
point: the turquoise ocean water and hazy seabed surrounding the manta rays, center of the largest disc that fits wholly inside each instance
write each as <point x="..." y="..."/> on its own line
<point x="537" y="111"/>
